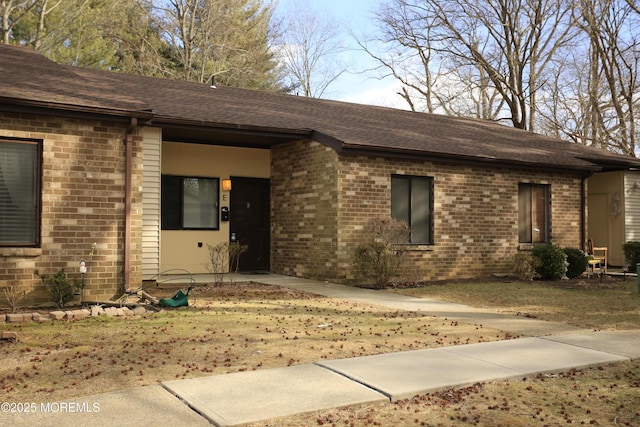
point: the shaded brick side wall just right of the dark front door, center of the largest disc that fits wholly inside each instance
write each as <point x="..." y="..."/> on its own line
<point x="303" y="216"/>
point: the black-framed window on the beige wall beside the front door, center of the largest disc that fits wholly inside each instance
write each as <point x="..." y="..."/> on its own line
<point x="189" y="203"/>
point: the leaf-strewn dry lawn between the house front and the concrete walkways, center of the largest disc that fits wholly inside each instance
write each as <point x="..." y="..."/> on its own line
<point x="227" y="329"/>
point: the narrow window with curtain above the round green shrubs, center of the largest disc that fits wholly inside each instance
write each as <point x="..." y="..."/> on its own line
<point x="533" y="213"/>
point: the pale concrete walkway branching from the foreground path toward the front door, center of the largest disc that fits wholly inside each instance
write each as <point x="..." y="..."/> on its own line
<point x="245" y="397"/>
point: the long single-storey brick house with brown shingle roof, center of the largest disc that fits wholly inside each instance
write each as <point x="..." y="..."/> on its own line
<point x="140" y="165"/>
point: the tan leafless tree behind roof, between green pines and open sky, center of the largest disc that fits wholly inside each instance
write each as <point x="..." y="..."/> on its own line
<point x="226" y="38"/>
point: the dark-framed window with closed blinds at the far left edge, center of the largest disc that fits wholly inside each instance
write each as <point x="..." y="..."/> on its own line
<point x="20" y="192"/>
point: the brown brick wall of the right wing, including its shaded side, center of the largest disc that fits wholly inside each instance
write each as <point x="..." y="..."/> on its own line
<point x="475" y="213"/>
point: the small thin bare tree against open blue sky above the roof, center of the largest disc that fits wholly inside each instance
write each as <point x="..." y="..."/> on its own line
<point x="309" y="48"/>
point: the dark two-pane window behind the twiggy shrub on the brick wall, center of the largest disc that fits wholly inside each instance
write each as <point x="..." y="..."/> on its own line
<point x="412" y="202"/>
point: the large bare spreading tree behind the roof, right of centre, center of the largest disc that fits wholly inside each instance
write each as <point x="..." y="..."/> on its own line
<point x="504" y="44"/>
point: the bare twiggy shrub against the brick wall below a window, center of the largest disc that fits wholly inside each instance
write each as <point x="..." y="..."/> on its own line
<point x="379" y="258"/>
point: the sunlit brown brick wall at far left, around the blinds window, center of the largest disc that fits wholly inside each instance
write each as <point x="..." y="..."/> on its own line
<point x="82" y="203"/>
